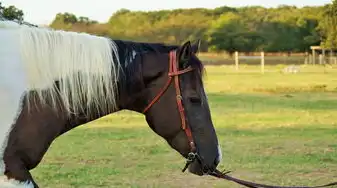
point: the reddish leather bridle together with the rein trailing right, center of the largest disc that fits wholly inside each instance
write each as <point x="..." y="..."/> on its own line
<point x="174" y="74"/>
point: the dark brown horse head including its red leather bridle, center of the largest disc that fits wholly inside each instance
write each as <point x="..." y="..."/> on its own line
<point x="170" y="93"/>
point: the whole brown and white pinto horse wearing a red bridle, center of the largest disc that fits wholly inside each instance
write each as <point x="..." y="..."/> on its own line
<point x="52" y="81"/>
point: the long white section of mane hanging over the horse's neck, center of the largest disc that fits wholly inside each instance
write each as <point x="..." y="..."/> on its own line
<point x="83" y="63"/>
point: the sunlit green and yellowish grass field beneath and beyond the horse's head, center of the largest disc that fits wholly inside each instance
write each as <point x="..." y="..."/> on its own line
<point x="273" y="128"/>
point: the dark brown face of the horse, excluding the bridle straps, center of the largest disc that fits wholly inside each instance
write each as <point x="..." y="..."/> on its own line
<point x="164" y="117"/>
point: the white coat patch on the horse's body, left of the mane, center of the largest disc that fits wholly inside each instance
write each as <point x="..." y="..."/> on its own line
<point x="12" y="86"/>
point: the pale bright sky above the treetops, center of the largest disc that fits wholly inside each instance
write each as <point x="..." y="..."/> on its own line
<point x="44" y="11"/>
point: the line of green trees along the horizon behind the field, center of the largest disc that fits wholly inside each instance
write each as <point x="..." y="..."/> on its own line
<point x="246" y="29"/>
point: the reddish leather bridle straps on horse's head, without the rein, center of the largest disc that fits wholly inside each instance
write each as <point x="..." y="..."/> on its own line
<point x="175" y="73"/>
